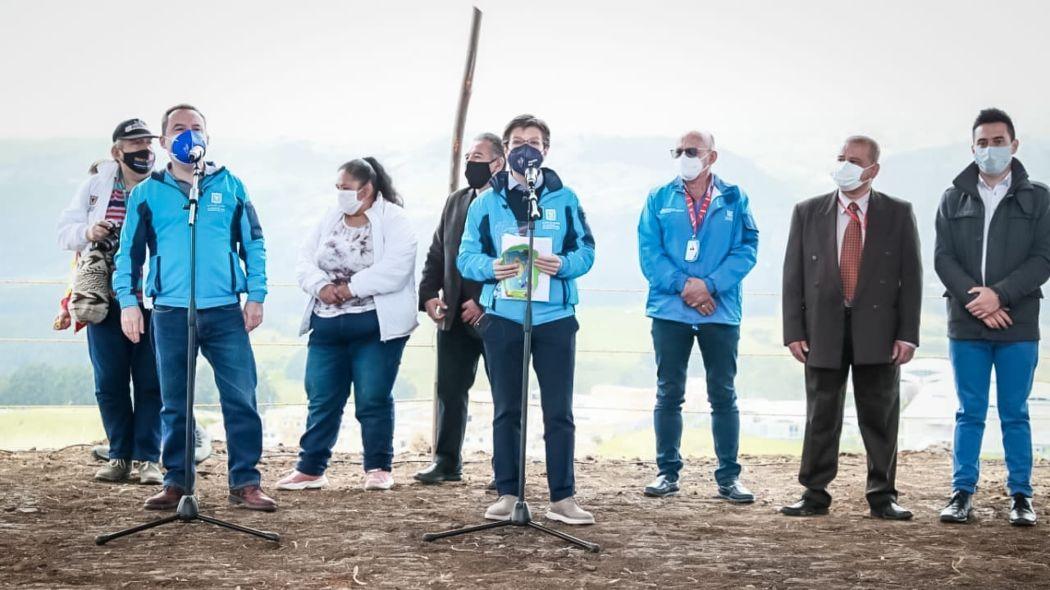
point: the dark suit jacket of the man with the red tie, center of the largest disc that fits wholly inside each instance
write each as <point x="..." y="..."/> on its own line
<point x="889" y="301"/>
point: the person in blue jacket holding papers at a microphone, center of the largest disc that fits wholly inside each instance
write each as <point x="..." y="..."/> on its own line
<point x="495" y="217"/>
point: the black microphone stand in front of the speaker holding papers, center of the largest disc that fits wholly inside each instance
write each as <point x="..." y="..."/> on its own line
<point x="521" y="516"/>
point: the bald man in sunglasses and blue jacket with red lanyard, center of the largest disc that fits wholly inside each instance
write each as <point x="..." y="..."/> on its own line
<point x="697" y="242"/>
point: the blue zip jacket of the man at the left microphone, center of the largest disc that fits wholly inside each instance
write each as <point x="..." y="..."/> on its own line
<point x="228" y="236"/>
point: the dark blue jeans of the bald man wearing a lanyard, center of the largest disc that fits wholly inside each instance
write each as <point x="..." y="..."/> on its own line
<point x="674" y="343"/>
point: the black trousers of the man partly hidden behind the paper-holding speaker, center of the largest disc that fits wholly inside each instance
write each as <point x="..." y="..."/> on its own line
<point x="459" y="351"/>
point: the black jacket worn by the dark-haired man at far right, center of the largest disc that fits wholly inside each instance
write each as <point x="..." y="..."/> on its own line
<point x="1019" y="257"/>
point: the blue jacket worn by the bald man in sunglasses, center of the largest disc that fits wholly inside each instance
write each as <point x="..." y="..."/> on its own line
<point x="729" y="247"/>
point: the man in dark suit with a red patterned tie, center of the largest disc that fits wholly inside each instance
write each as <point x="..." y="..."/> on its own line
<point x="852" y="300"/>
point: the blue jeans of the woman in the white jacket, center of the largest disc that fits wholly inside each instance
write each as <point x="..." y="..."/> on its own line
<point x="346" y="352"/>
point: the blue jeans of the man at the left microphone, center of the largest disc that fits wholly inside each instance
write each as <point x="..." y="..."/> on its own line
<point x="223" y="341"/>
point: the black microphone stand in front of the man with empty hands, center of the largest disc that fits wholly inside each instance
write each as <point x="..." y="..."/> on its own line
<point x="188" y="510"/>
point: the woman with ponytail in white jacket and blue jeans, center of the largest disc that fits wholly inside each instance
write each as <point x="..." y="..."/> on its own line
<point x="358" y="268"/>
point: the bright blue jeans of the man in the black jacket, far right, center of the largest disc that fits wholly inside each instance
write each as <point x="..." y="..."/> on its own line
<point x="1015" y="363"/>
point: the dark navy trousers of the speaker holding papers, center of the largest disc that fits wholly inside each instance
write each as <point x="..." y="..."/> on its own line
<point x="554" y="361"/>
